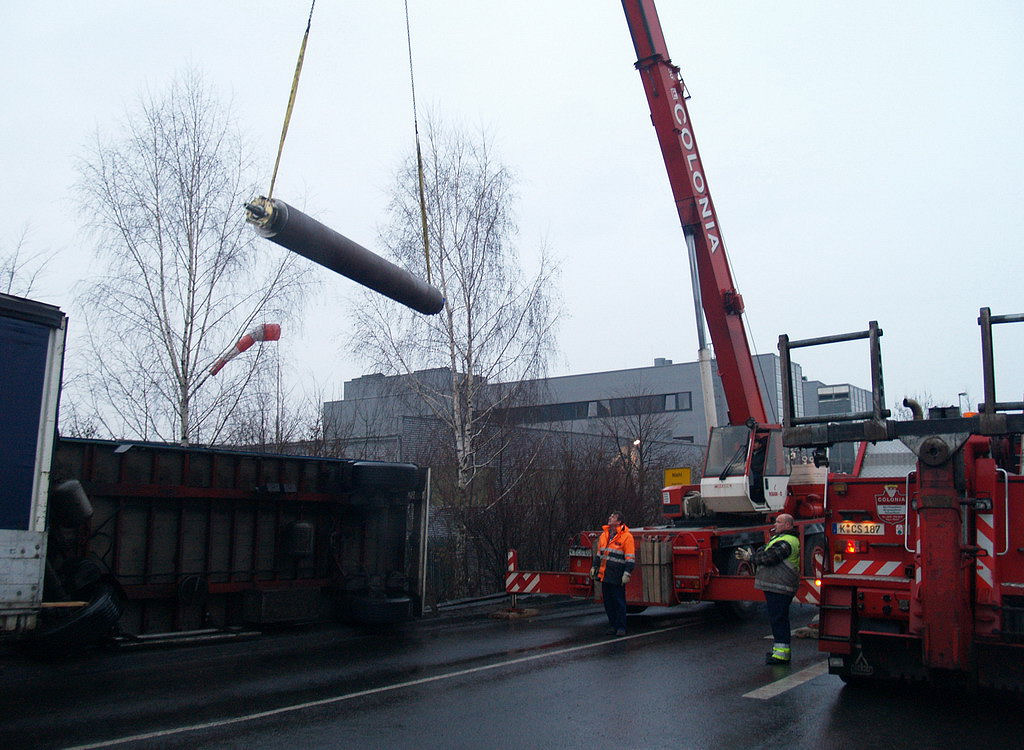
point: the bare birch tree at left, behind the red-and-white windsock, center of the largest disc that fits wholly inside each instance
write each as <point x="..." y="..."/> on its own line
<point x="183" y="277"/>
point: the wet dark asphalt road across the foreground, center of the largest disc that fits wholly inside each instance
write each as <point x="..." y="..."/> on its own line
<point x="681" y="679"/>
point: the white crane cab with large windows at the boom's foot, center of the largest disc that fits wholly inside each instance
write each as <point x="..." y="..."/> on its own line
<point x="747" y="470"/>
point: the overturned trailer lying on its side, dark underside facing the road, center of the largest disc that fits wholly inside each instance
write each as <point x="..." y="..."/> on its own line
<point x="197" y="538"/>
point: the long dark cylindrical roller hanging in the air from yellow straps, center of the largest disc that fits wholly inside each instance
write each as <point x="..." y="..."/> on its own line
<point x="286" y="226"/>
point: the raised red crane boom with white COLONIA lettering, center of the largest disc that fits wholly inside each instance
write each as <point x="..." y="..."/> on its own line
<point x="722" y="304"/>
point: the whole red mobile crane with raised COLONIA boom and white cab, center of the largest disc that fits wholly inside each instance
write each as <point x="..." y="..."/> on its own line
<point x="747" y="475"/>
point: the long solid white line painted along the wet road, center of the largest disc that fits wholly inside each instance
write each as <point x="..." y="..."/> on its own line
<point x="371" y="692"/>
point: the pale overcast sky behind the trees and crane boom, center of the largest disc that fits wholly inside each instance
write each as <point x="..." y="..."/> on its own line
<point x="866" y="159"/>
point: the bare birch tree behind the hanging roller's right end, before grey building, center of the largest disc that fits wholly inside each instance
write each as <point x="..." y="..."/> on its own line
<point x="498" y="325"/>
